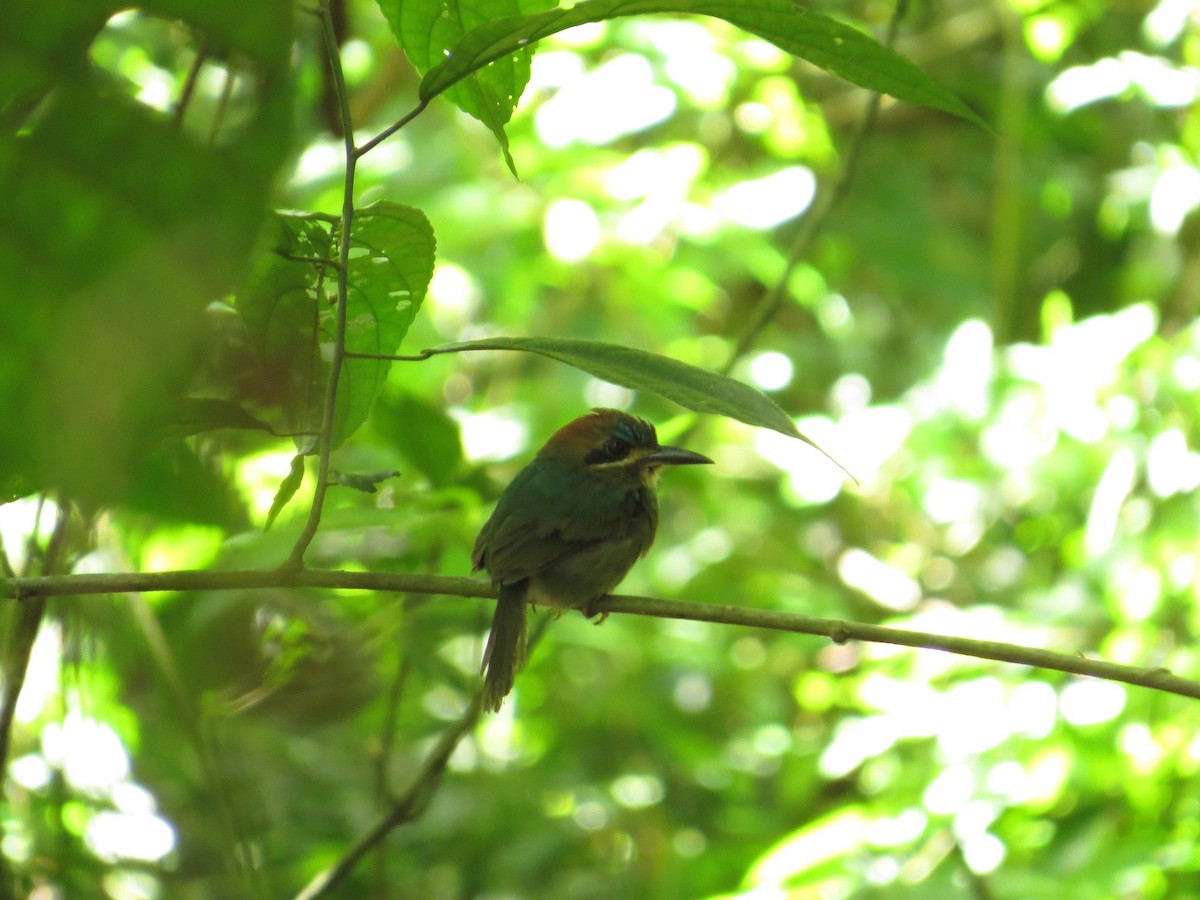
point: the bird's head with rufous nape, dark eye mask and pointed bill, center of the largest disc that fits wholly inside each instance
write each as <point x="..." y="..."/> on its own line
<point x="611" y="443"/>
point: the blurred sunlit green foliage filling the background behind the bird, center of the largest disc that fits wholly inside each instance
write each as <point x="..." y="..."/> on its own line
<point x="995" y="332"/>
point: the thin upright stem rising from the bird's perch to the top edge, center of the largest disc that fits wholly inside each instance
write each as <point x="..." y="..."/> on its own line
<point x="326" y="440"/>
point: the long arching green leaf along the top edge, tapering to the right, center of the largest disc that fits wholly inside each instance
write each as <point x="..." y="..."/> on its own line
<point x="826" y="43"/>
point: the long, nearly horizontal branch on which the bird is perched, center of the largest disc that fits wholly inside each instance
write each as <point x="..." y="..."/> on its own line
<point x="836" y="629"/>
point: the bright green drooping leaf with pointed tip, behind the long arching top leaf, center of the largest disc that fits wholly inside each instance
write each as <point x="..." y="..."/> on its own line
<point x="429" y="29"/>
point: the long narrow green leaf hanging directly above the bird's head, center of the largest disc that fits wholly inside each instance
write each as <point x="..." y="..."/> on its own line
<point x="688" y="386"/>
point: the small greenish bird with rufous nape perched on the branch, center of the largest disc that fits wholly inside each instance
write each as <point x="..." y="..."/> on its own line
<point x="569" y="527"/>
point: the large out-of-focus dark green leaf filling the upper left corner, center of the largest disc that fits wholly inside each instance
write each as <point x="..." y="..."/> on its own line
<point x="118" y="230"/>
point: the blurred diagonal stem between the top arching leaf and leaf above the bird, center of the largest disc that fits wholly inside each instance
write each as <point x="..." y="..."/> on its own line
<point x="770" y="304"/>
